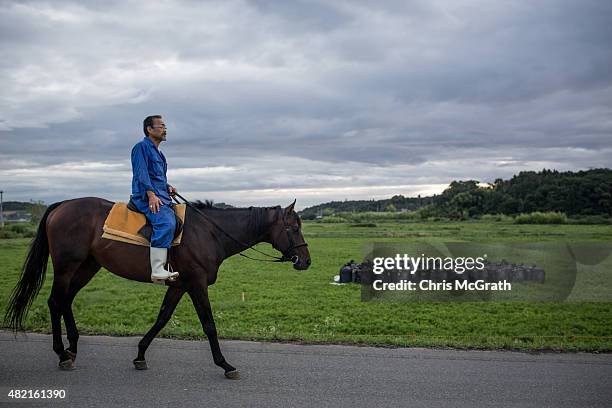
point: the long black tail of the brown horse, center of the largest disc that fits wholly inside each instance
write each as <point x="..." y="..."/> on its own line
<point x="32" y="277"/>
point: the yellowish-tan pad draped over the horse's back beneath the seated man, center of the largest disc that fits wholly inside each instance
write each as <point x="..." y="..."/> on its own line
<point x="123" y="225"/>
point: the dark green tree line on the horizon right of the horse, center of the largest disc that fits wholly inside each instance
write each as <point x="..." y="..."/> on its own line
<point x="576" y="194"/>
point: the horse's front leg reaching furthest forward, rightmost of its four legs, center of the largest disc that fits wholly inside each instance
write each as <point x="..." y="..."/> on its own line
<point x="199" y="297"/>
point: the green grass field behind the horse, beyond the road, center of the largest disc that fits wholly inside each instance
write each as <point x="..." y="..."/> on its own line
<point x="266" y="301"/>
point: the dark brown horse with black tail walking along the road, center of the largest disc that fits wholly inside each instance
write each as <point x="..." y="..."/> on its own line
<point x="71" y="232"/>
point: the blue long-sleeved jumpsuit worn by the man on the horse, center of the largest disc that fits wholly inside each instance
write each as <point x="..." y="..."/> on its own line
<point x="149" y="173"/>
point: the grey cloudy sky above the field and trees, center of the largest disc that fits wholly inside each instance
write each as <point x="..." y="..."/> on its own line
<point x="267" y="101"/>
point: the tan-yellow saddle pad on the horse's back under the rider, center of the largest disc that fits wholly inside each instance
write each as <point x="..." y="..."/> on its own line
<point x="126" y="224"/>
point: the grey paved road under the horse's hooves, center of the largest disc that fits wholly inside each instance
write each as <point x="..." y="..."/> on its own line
<point x="181" y="374"/>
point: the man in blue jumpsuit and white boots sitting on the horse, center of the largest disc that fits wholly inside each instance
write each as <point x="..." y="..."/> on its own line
<point x="151" y="194"/>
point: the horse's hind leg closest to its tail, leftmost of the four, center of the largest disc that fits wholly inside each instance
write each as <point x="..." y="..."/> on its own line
<point x="62" y="275"/>
